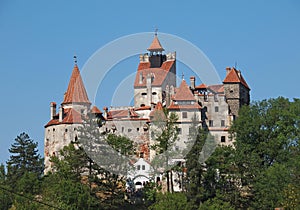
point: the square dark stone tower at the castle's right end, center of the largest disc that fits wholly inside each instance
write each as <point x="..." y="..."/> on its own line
<point x="237" y="91"/>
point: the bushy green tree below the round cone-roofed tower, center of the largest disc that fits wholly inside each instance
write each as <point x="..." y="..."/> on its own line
<point x="67" y="187"/>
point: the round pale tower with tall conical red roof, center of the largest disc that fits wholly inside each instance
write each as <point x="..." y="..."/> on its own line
<point x="62" y="129"/>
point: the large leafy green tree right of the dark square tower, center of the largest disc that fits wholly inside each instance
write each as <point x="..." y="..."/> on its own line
<point x="265" y="133"/>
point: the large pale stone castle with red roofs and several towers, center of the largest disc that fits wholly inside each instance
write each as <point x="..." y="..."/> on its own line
<point x="214" y="105"/>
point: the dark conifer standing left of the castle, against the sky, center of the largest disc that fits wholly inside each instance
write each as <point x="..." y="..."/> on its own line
<point x="24" y="172"/>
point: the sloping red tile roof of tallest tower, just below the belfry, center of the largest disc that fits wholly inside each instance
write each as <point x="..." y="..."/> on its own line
<point x="159" y="74"/>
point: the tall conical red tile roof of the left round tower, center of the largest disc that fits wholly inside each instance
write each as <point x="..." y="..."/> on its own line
<point x="76" y="92"/>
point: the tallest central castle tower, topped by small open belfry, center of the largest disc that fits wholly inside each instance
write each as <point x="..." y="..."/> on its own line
<point x="155" y="74"/>
